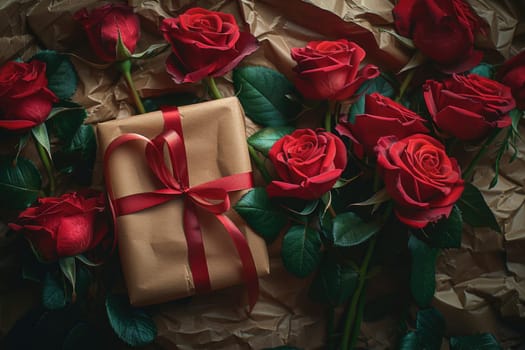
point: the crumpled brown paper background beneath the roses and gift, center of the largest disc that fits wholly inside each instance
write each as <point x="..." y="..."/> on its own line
<point x="480" y="287"/>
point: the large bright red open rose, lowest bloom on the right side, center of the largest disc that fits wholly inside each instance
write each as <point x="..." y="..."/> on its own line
<point x="423" y="181"/>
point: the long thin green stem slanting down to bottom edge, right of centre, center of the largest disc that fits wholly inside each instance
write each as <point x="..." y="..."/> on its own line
<point x="351" y="318"/>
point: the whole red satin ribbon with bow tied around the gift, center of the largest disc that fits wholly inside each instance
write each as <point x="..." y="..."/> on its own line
<point x="211" y="196"/>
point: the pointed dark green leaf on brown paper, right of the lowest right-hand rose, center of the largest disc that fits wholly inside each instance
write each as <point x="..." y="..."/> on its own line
<point x="475" y="210"/>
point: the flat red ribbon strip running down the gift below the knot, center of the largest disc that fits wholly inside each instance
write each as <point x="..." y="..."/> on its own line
<point x="196" y="254"/>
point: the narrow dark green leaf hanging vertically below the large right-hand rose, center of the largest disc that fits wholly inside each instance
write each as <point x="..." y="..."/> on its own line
<point x="422" y="276"/>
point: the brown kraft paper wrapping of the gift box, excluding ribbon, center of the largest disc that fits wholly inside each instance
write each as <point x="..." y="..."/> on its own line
<point x="152" y="245"/>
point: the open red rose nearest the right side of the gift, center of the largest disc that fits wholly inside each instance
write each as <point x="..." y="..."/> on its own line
<point x="309" y="162"/>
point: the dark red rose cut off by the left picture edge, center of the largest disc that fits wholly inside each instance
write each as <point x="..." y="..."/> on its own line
<point x="25" y="100"/>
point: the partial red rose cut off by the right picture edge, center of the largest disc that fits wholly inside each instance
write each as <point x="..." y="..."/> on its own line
<point x="512" y="74"/>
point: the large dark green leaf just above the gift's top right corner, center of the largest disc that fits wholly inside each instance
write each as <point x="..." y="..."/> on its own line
<point x="262" y="92"/>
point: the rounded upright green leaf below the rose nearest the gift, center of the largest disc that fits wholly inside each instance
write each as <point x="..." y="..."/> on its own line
<point x="301" y="250"/>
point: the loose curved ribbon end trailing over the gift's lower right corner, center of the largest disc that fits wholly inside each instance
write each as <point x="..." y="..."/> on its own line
<point x="249" y="271"/>
